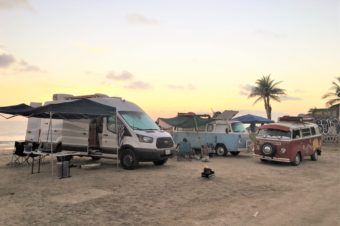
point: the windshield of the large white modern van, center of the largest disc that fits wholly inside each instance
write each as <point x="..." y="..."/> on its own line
<point x="138" y="120"/>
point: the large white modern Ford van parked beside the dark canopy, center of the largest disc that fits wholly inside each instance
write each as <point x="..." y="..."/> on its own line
<point x="141" y="139"/>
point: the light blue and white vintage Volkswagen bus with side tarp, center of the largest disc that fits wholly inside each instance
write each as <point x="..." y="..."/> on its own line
<point x="225" y="136"/>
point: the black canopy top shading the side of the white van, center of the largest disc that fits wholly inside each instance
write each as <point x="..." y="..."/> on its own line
<point x="75" y="109"/>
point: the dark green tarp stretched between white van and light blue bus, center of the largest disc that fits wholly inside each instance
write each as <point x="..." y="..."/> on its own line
<point x="186" y="121"/>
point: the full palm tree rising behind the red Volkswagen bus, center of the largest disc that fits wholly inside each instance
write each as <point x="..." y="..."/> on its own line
<point x="267" y="89"/>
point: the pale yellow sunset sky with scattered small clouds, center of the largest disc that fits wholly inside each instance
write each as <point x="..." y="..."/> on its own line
<point x="170" y="56"/>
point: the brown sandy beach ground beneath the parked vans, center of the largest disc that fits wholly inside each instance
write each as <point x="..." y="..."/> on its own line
<point x="243" y="192"/>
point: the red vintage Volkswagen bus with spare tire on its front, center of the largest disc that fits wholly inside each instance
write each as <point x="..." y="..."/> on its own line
<point x="289" y="140"/>
